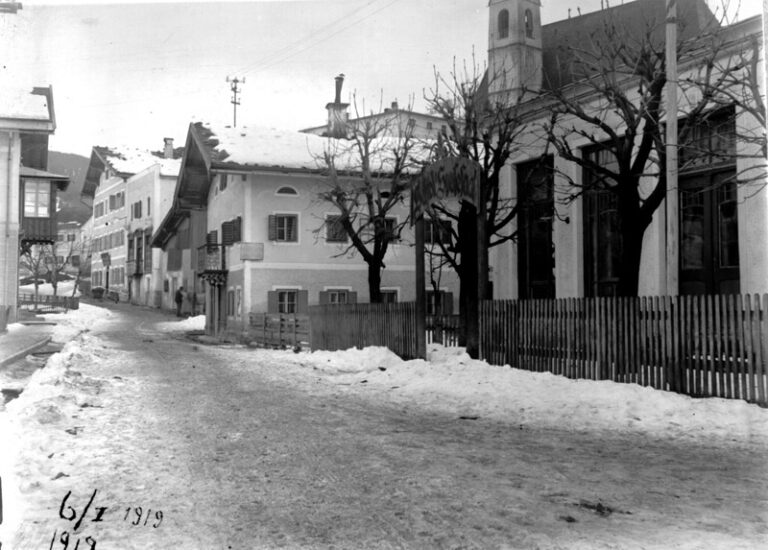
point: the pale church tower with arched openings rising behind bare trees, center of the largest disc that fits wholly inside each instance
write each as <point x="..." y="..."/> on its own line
<point x="514" y="49"/>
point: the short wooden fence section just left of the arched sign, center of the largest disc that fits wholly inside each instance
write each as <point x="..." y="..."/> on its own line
<point x="345" y="326"/>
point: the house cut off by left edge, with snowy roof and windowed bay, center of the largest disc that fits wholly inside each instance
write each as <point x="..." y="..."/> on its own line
<point x="27" y="190"/>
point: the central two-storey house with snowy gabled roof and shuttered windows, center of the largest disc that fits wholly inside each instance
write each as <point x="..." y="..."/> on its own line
<point x="248" y="234"/>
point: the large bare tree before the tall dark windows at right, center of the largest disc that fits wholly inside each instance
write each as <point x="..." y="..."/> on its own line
<point x="615" y="104"/>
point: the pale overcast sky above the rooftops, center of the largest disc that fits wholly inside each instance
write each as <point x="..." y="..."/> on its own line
<point x="136" y="72"/>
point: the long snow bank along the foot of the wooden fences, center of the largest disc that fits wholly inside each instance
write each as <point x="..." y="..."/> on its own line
<point x="450" y="381"/>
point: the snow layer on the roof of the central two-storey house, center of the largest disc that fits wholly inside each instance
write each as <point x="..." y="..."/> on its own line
<point x="288" y="149"/>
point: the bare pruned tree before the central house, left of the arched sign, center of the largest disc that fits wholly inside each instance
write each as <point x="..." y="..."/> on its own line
<point x="366" y="178"/>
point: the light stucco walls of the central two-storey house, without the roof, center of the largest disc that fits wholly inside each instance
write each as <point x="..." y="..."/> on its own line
<point x="311" y="263"/>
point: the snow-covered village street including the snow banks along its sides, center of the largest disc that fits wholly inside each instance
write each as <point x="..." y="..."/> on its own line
<point x="175" y="444"/>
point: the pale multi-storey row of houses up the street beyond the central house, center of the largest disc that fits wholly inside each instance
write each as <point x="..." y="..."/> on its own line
<point x="131" y="190"/>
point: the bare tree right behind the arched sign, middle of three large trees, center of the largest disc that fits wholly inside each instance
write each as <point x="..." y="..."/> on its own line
<point x="484" y="131"/>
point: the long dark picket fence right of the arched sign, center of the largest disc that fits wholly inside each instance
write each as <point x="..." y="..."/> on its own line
<point x="695" y="345"/>
